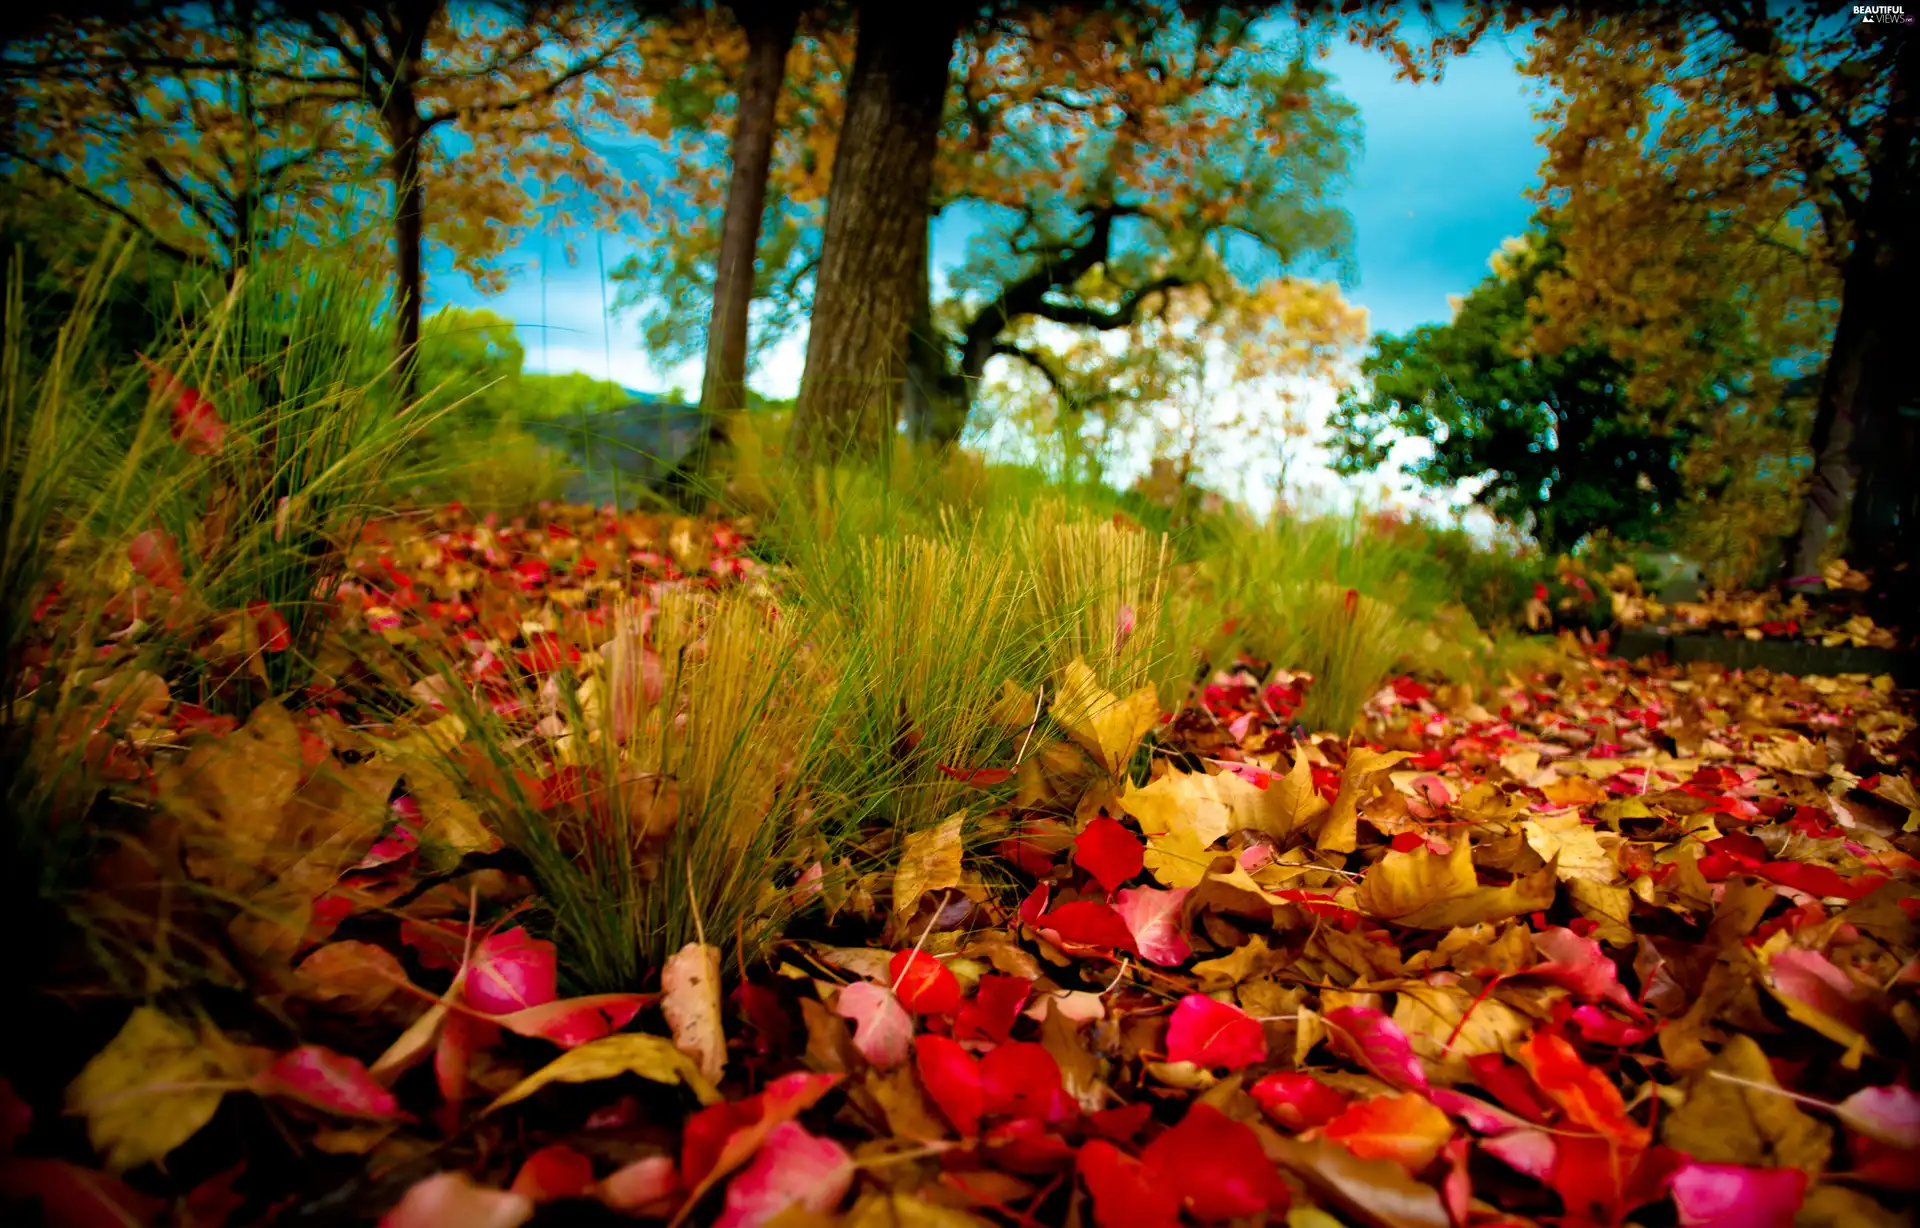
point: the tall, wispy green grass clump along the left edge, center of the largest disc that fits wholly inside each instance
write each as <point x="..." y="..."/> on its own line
<point x="153" y="557"/>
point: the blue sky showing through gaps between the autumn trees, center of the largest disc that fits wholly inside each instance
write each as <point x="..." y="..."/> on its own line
<point x="1439" y="183"/>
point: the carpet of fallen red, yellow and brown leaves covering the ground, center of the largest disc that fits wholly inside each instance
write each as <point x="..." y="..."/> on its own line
<point x="1604" y="945"/>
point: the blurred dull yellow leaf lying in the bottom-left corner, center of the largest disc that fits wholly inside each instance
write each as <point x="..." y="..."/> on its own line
<point x="141" y="1095"/>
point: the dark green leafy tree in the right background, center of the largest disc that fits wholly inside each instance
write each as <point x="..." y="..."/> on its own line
<point x="1556" y="440"/>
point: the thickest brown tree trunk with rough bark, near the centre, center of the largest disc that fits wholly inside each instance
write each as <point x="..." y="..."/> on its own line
<point x="876" y="229"/>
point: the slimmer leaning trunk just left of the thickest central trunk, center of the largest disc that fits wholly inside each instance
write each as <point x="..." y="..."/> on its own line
<point x="771" y="28"/>
